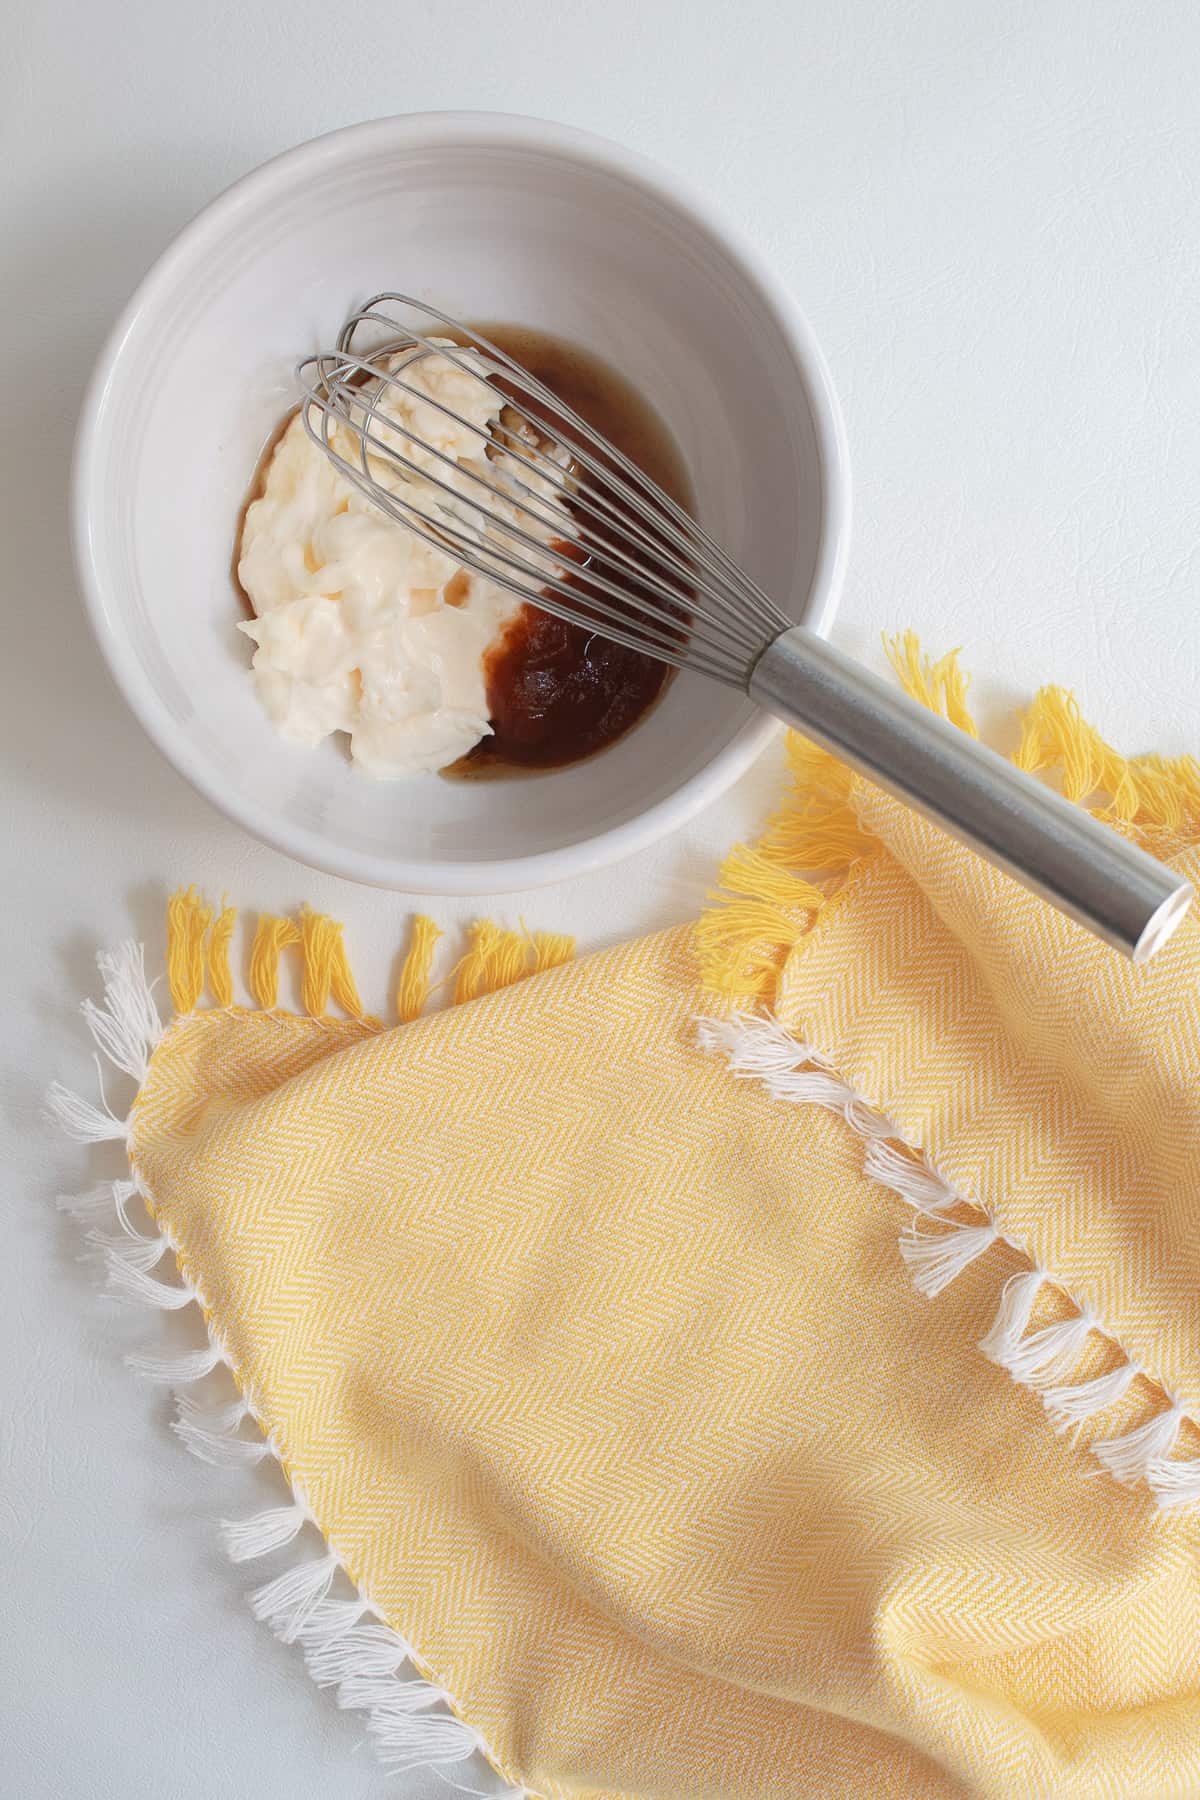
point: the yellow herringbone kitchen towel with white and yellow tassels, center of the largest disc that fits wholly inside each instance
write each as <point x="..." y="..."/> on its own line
<point x="757" y="1362"/>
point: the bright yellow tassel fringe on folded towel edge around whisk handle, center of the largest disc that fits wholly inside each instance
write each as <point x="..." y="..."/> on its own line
<point x="773" y="895"/>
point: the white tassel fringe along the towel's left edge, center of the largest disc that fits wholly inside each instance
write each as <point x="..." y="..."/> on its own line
<point x="348" y="1644"/>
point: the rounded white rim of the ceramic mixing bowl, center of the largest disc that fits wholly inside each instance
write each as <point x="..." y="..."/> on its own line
<point x="431" y="130"/>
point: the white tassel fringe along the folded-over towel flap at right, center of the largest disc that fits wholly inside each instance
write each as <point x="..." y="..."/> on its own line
<point x="936" y="1248"/>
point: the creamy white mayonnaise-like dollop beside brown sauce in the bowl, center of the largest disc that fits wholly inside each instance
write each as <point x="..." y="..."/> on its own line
<point x="361" y="625"/>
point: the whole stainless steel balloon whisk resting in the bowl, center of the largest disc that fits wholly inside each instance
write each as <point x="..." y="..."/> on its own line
<point x="449" y="436"/>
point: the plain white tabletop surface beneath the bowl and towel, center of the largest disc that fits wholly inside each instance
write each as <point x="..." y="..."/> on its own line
<point x="989" y="213"/>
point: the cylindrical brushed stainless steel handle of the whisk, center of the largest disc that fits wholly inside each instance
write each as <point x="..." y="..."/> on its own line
<point x="1044" y="841"/>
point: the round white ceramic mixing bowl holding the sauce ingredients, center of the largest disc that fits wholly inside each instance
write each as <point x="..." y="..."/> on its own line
<point x="488" y="217"/>
